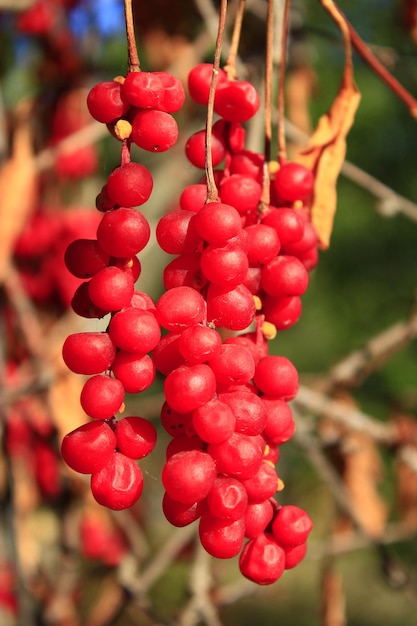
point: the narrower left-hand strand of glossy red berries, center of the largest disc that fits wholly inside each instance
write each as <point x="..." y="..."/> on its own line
<point x="117" y="360"/>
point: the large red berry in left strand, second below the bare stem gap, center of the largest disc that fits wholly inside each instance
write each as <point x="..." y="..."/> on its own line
<point x="124" y="232"/>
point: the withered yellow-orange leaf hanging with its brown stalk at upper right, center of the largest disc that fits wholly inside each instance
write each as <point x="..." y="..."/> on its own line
<point x="325" y="151"/>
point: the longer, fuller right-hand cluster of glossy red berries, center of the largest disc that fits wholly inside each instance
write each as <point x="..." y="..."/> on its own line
<point x="226" y="401"/>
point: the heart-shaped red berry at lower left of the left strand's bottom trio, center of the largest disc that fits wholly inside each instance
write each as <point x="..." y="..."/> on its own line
<point x="89" y="447"/>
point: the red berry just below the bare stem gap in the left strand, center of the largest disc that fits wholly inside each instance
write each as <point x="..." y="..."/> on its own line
<point x="130" y="185"/>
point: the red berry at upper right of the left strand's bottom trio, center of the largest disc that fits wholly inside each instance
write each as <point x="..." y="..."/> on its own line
<point x="135" y="436"/>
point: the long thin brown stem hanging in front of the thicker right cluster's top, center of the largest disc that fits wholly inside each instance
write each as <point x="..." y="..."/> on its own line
<point x="212" y="192"/>
